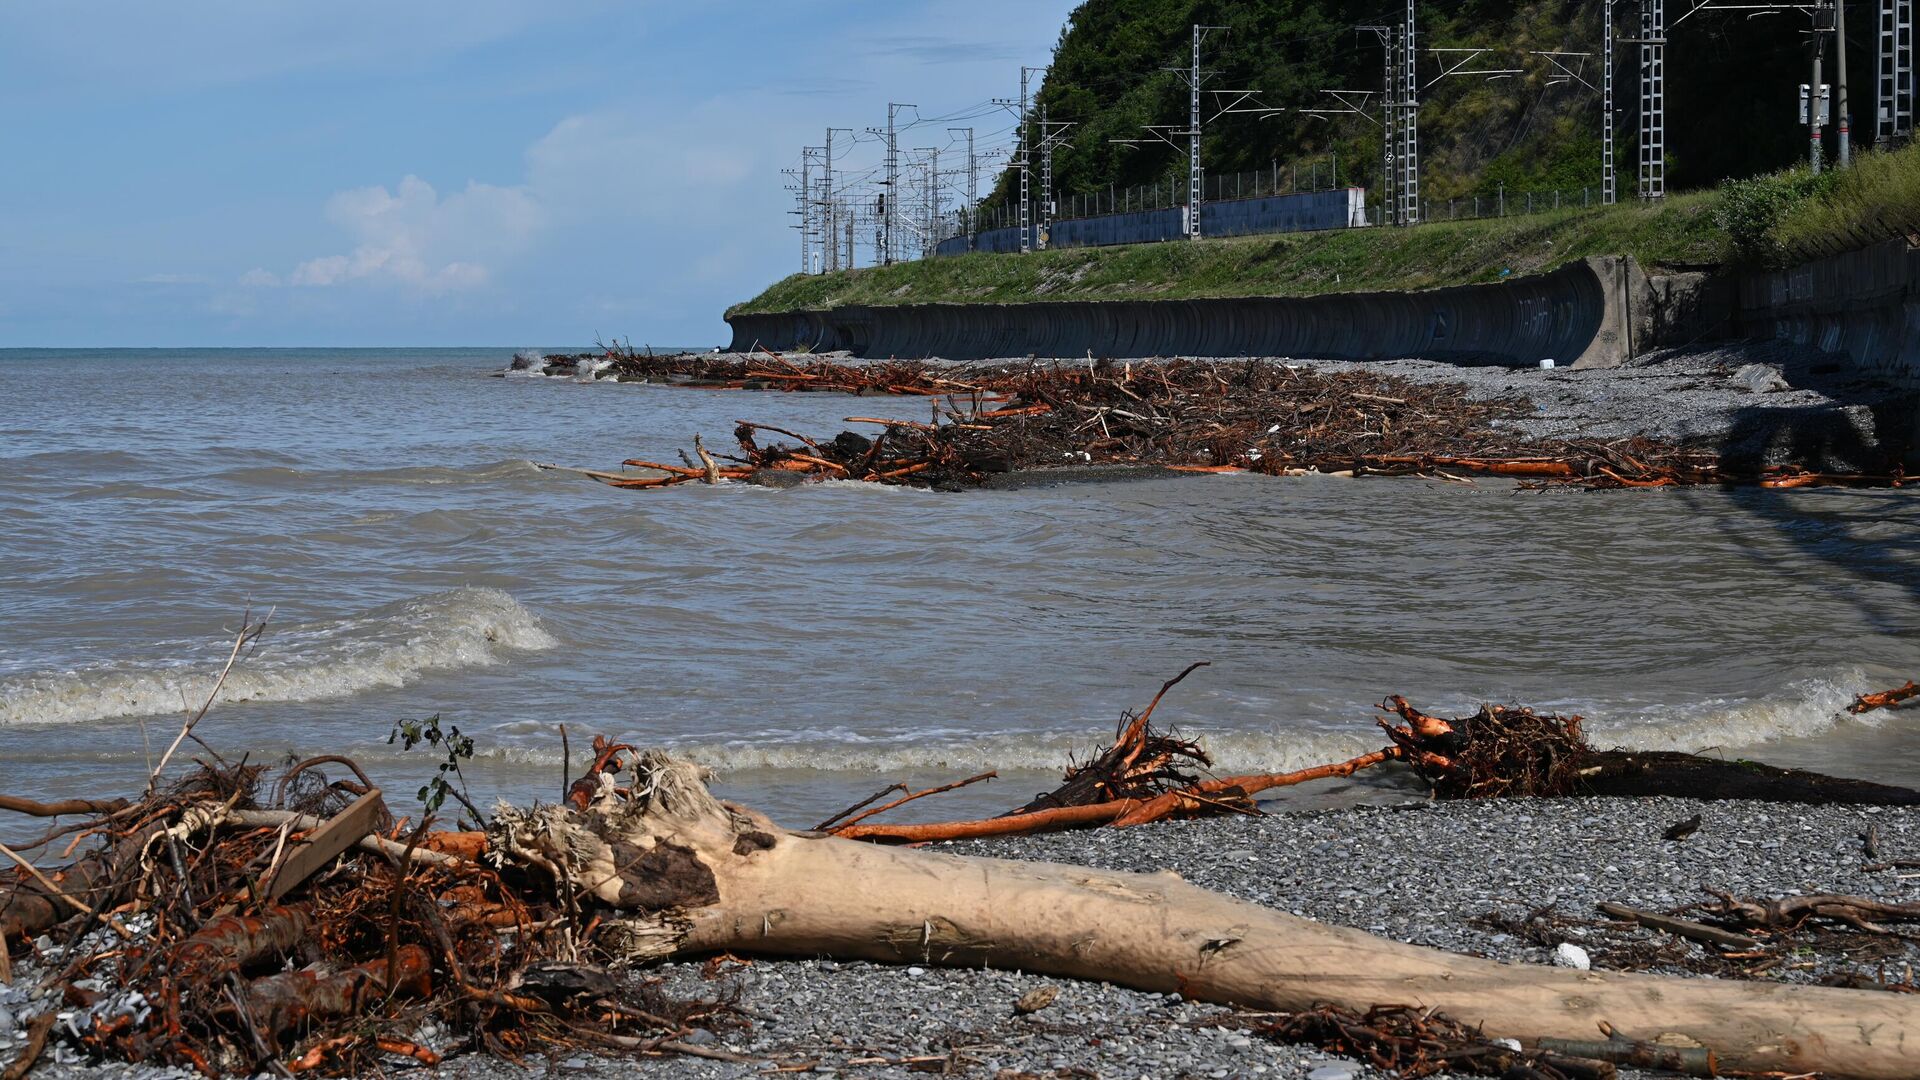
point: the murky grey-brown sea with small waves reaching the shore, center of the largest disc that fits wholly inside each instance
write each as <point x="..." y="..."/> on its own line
<point x="383" y="512"/>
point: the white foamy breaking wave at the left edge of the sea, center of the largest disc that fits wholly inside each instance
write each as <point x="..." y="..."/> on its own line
<point x="306" y="662"/>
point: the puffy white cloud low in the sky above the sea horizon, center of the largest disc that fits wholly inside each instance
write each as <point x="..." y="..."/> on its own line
<point x="416" y="239"/>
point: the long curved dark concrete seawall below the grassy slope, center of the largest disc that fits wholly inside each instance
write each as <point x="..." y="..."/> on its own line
<point x="1577" y="314"/>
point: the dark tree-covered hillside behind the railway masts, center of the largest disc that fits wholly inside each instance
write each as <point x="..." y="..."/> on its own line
<point x="1733" y="91"/>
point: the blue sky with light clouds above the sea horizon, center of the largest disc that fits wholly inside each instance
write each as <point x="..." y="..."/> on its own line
<point x="448" y="172"/>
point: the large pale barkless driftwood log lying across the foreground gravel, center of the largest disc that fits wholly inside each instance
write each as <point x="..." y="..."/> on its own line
<point x="696" y="875"/>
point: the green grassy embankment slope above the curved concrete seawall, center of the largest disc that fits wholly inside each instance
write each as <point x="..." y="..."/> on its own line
<point x="1773" y="220"/>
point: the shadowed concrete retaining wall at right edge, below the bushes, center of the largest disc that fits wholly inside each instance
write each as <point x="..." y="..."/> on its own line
<point x="1863" y="307"/>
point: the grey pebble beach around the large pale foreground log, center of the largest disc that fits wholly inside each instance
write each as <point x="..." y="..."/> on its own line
<point x="1424" y="873"/>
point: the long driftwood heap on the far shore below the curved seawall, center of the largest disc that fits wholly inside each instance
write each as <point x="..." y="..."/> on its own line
<point x="1170" y="414"/>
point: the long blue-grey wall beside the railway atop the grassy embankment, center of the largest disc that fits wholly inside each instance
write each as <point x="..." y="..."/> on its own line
<point x="1230" y="218"/>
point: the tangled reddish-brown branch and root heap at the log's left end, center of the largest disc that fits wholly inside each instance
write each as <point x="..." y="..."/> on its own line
<point x="285" y="921"/>
